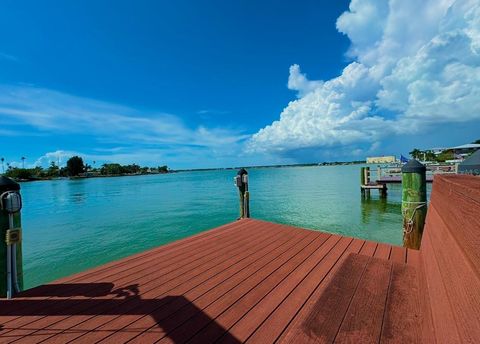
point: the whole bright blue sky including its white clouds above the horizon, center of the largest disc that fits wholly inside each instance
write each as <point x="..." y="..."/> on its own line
<point x="223" y="83"/>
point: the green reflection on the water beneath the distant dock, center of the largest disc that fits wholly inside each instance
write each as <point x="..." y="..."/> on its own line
<point x="375" y="209"/>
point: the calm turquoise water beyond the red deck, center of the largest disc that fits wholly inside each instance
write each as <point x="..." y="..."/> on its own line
<point x="72" y="225"/>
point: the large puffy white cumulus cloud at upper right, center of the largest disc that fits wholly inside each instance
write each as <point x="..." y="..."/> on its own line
<point x="416" y="65"/>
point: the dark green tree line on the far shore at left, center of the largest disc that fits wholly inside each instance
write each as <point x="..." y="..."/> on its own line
<point x="76" y="167"/>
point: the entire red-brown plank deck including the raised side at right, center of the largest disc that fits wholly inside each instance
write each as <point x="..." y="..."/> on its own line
<point x="258" y="282"/>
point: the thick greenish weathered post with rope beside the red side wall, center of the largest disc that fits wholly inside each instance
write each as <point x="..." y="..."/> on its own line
<point x="414" y="203"/>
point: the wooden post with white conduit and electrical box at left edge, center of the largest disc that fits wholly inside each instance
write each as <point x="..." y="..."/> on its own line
<point x="11" y="271"/>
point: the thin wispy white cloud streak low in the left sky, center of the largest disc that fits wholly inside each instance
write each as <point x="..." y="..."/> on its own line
<point x="132" y="135"/>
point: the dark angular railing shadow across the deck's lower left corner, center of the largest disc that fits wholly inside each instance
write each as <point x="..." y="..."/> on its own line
<point x="127" y="301"/>
